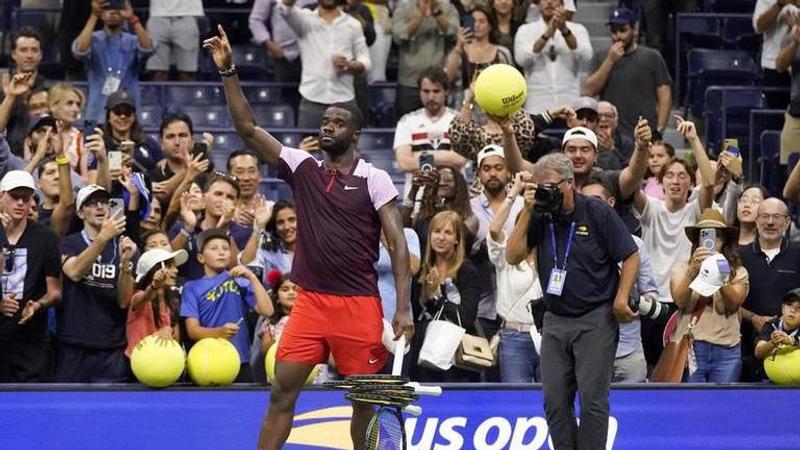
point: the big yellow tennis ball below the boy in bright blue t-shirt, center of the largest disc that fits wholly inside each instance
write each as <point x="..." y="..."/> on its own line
<point x="213" y="362"/>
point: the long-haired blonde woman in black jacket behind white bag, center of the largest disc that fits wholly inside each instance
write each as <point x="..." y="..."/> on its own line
<point x="447" y="281"/>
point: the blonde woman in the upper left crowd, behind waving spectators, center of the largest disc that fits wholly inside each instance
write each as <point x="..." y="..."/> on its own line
<point x="66" y="102"/>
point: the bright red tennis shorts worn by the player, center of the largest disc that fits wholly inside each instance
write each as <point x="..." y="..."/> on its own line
<point x="349" y="327"/>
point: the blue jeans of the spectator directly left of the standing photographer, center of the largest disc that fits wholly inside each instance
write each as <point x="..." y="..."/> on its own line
<point x="519" y="361"/>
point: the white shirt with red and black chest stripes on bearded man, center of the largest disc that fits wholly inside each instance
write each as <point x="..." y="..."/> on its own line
<point x="423" y="133"/>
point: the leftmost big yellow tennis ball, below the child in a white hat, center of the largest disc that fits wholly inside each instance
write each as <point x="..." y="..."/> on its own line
<point x="158" y="362"/>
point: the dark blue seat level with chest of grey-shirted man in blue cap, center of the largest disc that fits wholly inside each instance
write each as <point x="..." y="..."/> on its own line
<point x="716" y="67"/>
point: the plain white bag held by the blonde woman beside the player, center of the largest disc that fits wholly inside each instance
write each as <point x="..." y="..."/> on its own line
<point x="442" y="339"/>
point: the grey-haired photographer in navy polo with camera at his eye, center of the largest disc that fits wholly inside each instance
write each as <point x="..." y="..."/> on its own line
<point x="578" y="242"/>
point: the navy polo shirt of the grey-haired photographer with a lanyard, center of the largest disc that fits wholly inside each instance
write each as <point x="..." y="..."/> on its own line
<point x="601" y="240"/>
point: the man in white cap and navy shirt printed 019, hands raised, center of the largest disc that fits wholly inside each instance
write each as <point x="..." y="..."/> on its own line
<point x="91" y="319"/>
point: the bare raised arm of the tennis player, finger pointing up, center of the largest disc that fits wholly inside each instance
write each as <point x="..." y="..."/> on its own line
<point x="244" y="119"/>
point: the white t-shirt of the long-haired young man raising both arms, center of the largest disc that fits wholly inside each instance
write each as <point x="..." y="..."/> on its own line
<point x="664" y="235"/>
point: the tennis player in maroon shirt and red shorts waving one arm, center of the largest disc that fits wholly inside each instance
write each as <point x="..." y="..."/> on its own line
<point x="342" y="204"/>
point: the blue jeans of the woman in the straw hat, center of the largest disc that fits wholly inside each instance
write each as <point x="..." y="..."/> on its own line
<point x="716" y="364"/>
